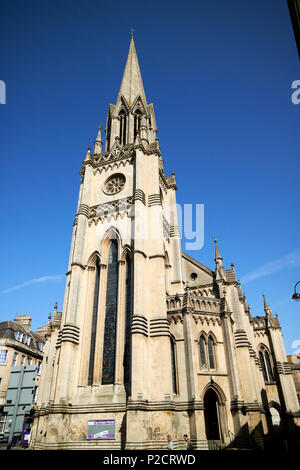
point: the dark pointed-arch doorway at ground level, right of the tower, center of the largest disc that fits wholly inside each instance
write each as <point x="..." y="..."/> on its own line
<point x="212" y="415"/>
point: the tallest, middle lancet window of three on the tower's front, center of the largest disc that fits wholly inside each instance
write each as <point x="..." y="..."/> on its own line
<point x="110" y="327"/>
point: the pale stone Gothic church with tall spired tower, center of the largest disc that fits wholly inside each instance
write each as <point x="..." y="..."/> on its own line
<point x="150" y="342"/>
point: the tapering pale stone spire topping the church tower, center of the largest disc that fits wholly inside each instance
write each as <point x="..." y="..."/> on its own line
<point x="132" y="84"/>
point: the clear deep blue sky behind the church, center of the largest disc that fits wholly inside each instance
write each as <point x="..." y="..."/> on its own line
<point x="219" y="75"/>
